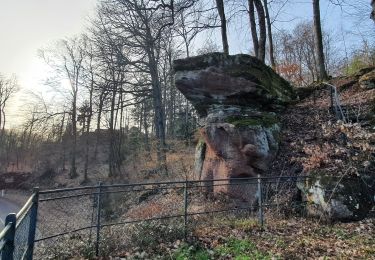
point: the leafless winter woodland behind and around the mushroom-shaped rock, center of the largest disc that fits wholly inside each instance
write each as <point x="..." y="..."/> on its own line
<point x="113" y="111"/>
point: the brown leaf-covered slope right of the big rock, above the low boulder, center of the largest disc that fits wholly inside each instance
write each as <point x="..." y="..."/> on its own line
<point x="313" y="140"/>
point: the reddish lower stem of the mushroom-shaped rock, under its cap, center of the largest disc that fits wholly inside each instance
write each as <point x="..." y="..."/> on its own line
<point x="238" y="145"/>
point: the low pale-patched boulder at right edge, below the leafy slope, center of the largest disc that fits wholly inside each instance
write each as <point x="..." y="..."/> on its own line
<point x="338" y="199"/>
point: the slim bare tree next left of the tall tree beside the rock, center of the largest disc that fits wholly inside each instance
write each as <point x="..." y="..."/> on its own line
<point x="113" y="62"/>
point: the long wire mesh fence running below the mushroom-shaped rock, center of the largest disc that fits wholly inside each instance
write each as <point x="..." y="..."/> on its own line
<point x="102" y="219"/>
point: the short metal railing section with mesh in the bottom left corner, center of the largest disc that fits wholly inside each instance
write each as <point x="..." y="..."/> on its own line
<point x="18" y="235"/>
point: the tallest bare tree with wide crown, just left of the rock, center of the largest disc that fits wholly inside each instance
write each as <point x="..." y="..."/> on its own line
<point x="139" y="27"/>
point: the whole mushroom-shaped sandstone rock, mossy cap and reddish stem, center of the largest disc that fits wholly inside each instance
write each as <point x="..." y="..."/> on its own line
<point x="236" y="98"/>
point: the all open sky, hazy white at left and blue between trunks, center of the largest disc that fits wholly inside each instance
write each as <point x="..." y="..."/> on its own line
<point x="29" y="25"/>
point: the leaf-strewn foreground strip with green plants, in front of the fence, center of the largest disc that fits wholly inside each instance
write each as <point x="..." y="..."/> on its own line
<point x="281" y="238"/>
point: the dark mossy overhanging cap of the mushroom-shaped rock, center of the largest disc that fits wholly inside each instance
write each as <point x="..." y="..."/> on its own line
<point x="217" y="79"/>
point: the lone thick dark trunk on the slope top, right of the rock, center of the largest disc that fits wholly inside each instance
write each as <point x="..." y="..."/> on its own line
<point x="318" y="38"/>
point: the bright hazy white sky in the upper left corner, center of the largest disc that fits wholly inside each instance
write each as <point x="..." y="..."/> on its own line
<point x="29" y="25"/>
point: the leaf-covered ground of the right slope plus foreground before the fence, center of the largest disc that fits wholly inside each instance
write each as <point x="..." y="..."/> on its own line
<point x="311" y="140"/>
